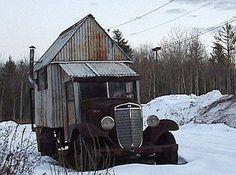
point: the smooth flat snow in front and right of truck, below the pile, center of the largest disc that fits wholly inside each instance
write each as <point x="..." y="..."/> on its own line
<point x="208" y="149"/>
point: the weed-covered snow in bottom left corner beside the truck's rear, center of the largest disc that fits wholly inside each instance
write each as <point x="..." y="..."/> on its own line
<point x="17" y="149"/>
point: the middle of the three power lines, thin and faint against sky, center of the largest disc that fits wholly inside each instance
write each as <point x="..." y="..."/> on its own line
<point x="171" y="20"/>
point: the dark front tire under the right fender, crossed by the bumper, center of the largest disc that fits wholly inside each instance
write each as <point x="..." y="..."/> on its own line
<point x="169" y="157"/>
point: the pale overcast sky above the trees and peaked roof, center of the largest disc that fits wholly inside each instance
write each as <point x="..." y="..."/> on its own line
<point x="39" y="22"/>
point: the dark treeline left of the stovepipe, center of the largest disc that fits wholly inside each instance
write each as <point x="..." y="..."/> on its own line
<point x="14" y="93"/>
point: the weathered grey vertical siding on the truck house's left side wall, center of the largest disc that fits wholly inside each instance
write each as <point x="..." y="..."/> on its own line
<point x="50" y="104"/>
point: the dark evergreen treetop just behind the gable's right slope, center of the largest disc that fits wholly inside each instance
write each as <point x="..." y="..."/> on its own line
<point x="122" y="42"/>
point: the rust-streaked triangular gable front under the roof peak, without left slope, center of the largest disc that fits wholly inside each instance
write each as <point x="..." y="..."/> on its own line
<point x="90" y="43"/>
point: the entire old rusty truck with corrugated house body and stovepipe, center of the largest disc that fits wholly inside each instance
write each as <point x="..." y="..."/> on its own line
<point x="85" y="97"/>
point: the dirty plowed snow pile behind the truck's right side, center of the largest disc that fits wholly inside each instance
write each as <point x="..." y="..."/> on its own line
<point x="212" y="107"/>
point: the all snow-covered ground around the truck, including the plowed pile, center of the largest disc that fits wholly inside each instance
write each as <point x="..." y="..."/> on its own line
<point x="208" y="148"/>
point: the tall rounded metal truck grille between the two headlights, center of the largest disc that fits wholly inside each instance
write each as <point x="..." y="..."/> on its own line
<point x="129" y="125"/>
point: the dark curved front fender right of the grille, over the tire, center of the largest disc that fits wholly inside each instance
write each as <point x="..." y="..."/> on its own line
<point x="151" y="135"/>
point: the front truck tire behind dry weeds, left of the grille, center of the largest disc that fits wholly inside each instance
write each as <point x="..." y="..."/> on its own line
<point x="86" y="153"/>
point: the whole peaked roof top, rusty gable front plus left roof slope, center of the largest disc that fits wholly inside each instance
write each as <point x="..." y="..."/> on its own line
<point x="84" y="41"/>
